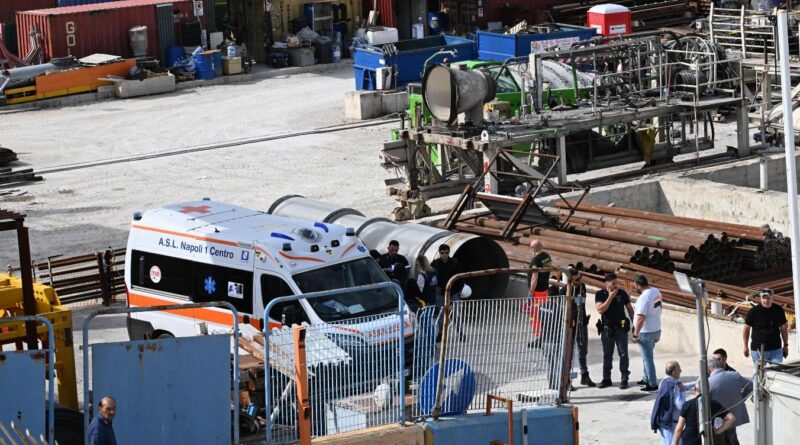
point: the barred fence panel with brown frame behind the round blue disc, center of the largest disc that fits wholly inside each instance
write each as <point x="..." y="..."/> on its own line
<point x="496" y="339"/>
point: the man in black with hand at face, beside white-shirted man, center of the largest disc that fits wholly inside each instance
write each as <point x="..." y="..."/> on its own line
<point x="611" y="303"/>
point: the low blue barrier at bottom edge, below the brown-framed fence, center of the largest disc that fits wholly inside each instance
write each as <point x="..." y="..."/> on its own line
<point x="546" y="426"/>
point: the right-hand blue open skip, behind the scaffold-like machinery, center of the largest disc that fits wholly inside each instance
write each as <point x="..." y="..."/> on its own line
<point x="497" y="47"/>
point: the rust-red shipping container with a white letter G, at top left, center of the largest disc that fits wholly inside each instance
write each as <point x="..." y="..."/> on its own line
<point x="97" y="28"/>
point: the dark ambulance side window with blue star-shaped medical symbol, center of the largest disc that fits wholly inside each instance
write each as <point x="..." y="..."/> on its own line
<point x="215" y="283"/>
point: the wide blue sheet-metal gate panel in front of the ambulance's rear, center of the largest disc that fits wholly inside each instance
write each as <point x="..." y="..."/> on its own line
<point x="170" y="390"/>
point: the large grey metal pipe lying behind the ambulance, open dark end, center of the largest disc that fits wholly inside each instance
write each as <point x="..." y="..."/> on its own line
<point x="473" y="252"/>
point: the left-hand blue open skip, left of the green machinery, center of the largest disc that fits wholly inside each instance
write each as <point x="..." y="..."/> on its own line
<point x="409" y="60"/>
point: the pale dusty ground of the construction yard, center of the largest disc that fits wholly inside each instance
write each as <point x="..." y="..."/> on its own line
<point x="81" y="210"/>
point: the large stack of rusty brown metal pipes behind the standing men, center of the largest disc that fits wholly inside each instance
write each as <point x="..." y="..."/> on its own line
<point x="598" y="239"/>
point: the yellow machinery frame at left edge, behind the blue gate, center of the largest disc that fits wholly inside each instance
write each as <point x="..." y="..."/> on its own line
<point x="48" y="306"/>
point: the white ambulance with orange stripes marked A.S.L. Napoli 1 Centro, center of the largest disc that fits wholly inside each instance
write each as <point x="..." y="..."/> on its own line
<point x="202" y="251"/>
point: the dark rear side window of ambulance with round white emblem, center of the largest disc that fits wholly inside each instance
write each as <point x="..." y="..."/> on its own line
<point x="161" y="273"/>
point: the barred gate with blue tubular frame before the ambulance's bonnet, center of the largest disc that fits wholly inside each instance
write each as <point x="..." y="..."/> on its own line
<point x="355" y="370"/>
